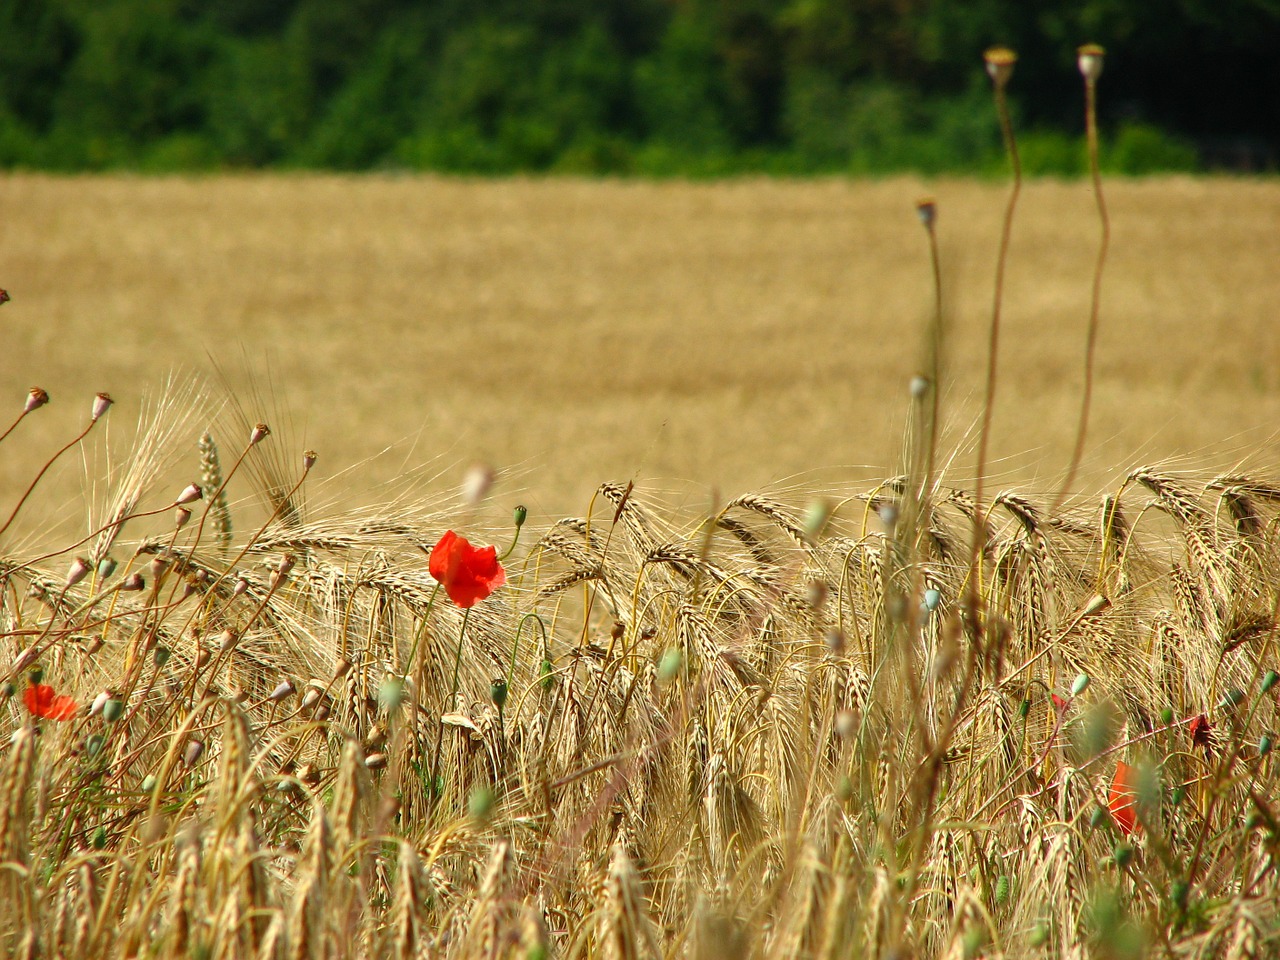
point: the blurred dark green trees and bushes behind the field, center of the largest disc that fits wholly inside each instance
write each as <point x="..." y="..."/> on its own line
<point x="627" y="86"/>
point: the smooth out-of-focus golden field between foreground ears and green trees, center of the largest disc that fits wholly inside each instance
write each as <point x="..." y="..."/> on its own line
<point x="735" y="336"/>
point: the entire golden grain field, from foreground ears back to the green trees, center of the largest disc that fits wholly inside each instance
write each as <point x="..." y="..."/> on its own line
<point x="807" y="724"/>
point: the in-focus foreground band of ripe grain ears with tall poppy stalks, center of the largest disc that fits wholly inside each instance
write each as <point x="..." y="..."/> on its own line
<point x="907" y="721"/>
